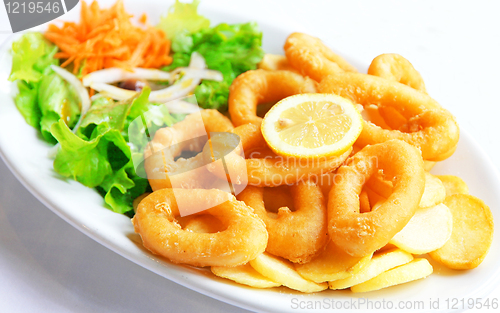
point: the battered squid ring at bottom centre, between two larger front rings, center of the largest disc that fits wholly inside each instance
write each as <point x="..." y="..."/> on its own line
<point x="298" y="235"/>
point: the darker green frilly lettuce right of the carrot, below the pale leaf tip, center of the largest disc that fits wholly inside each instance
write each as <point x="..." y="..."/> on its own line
<point x="230" y="49"/>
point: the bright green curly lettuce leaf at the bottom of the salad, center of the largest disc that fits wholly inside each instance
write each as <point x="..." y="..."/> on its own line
<point x="103" y="162"/>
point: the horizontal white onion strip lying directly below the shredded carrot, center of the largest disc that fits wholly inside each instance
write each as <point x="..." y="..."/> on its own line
<point x="115" y="74"/>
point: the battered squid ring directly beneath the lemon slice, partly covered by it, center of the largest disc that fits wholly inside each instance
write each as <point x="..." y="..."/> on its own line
<point x="269" y="170"/>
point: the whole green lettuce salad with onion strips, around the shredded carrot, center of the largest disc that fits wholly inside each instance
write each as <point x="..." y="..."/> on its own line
<point x="91" y="142"/>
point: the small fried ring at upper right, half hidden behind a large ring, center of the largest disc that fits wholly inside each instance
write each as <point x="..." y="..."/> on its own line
<point x="395" y="67"/>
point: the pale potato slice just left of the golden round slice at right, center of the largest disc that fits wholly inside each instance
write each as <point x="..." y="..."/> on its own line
<point x="429" y="229"/>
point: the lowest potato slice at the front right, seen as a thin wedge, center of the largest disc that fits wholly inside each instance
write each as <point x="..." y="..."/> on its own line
<point x="416" y="269"/>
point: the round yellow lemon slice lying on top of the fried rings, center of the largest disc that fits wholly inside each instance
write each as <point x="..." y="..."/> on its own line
<point x="312" y="125"/>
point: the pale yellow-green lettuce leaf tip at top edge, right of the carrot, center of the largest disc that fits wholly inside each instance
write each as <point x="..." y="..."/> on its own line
<point x="182" y="18"/>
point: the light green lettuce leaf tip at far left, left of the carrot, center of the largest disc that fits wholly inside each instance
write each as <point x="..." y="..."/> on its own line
<point x="32" y="55"/>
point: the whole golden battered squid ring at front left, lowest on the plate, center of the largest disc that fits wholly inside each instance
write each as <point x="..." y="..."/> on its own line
<point x="243" y="240"/>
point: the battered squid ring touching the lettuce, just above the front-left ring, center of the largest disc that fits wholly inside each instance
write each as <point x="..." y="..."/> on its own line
<point x="188" y="135"/>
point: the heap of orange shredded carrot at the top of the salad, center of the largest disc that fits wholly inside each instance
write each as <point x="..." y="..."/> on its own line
<point x="107" y="38"/>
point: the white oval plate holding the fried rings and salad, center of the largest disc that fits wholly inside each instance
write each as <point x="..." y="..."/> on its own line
<point x="26" y="155"/>
